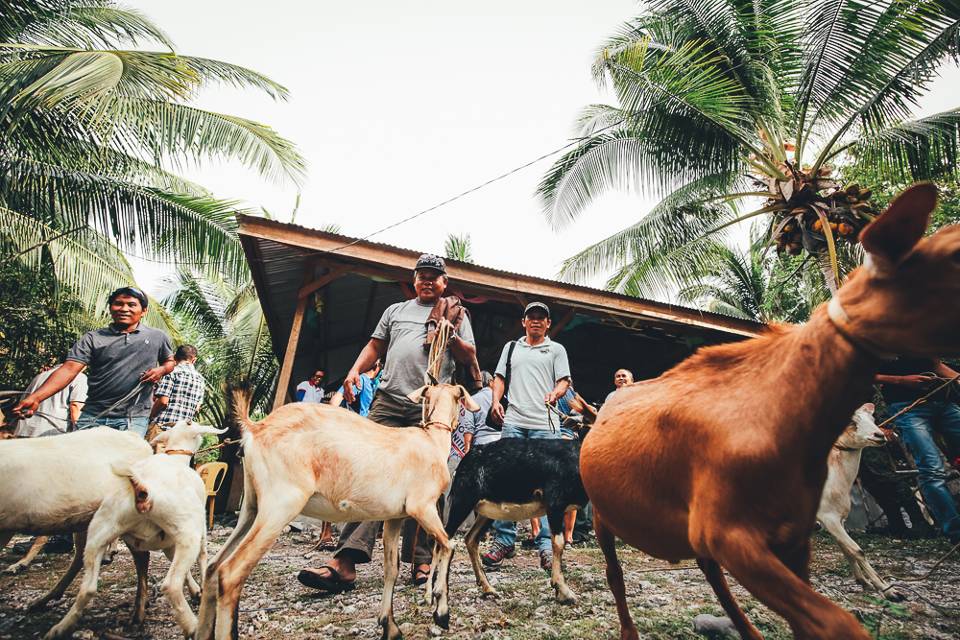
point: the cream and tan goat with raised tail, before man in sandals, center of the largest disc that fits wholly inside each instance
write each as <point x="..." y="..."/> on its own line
<point x="336" y="466"/>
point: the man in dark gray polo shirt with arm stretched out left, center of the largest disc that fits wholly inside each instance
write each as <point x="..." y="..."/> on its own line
<point x="123" y="361"/>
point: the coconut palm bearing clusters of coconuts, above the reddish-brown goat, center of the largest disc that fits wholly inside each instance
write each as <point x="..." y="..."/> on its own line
<point x="729" y="110"/>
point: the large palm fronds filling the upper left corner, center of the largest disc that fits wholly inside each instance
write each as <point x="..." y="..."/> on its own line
<point x="92" y="136"/>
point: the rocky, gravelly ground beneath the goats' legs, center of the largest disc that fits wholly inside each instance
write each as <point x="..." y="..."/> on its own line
<point x="664" y="599"/>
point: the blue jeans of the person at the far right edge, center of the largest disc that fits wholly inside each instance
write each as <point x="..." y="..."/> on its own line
<point x="916" y="429"/>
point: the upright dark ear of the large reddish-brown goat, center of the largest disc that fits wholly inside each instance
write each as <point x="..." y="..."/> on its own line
<point x="890" y="237"/>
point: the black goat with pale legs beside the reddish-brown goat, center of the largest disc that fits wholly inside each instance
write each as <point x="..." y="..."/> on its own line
<point x="511" y="479"/>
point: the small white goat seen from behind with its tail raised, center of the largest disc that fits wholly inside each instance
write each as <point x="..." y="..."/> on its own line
<point x="160" y="508"/>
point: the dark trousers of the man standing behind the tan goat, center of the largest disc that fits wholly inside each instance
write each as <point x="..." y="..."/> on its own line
<point x="357" y="539"/>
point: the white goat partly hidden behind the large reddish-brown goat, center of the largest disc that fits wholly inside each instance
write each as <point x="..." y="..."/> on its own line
<point x="842" y="467"/>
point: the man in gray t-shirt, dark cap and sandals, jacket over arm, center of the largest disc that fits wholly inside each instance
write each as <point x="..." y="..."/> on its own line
<point x="398" y="340"/>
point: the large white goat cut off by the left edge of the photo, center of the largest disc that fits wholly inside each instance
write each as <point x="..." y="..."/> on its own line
<point x="59" y="485"/>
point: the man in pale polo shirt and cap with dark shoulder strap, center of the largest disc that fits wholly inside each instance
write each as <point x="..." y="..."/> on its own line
<point x="533" y="370"/>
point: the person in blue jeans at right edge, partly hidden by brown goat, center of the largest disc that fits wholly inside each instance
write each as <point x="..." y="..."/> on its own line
<point x="905" y="380"/>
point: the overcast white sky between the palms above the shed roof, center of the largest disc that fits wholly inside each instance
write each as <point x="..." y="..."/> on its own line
<point x="398" y="105"/>
